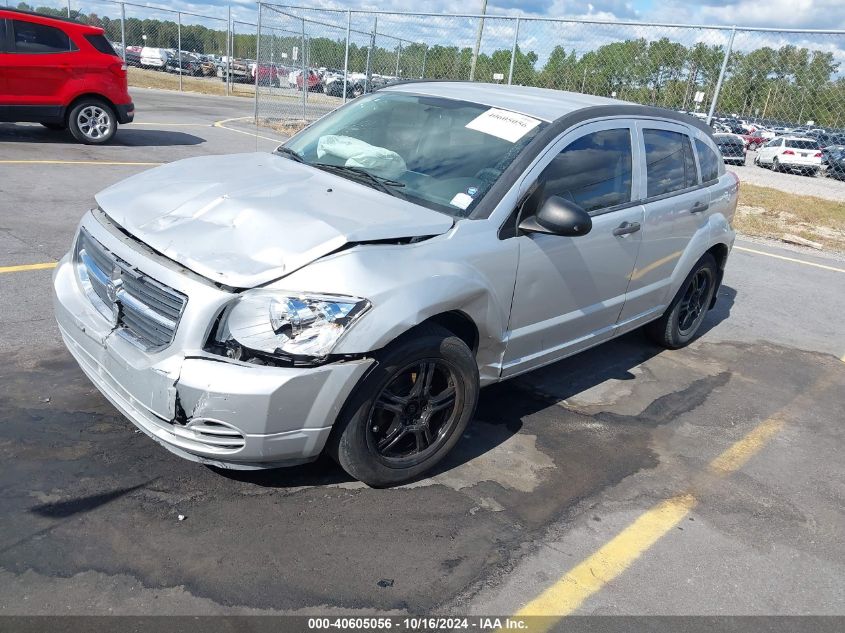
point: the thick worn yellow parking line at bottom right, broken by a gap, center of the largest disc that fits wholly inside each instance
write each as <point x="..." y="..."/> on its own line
<point x="618" y="554"/>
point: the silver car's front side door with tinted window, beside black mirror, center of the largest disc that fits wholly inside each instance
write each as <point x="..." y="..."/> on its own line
<point x="570" y="290"/>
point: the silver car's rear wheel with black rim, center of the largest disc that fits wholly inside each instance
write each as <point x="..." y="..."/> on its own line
<point x="684" y="316"/>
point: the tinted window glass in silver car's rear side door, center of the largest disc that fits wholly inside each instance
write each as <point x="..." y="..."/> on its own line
<point x="670" y="165"/>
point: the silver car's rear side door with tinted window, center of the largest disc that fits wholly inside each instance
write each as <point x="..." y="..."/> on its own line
<point x="676" y="208"/>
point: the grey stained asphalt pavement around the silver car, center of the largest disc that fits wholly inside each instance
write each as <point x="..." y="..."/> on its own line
<point x="557" y="465"/>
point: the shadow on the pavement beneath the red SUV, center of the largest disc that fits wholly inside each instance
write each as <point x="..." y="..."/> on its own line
<point x="124" y="137"/>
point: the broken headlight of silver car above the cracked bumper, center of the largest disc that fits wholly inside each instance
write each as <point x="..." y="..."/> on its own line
<point x="286" y="325"/>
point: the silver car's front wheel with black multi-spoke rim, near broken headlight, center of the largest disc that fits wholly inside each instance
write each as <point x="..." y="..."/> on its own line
<point x="409" y="411"/>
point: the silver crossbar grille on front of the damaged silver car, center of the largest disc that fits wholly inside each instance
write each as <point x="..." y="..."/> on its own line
<point x="143" y="310"/>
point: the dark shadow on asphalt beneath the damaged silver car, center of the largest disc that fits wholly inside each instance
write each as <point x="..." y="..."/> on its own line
<point x="503" y="407"/>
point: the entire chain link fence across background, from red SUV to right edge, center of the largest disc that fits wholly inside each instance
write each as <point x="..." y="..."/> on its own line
<point x="301" y="62"/>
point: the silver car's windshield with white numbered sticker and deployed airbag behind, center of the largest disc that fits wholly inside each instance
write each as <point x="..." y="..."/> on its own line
<point x="439" y="153"/>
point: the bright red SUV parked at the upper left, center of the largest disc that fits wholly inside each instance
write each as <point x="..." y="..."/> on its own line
<point x="62" y="74"/>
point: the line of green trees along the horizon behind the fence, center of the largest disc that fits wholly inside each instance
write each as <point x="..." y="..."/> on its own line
<point x="789" y="83"/>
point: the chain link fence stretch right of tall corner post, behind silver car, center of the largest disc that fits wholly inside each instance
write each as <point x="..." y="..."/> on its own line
<point x="742" y="77"/>
